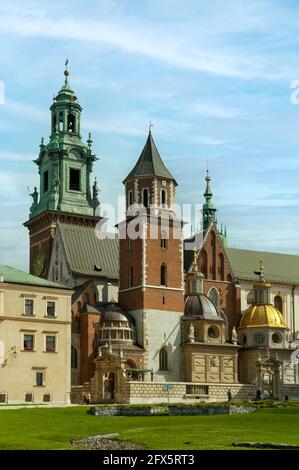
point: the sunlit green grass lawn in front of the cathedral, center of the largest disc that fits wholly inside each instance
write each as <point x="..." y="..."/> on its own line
<point x="53" y="428"/>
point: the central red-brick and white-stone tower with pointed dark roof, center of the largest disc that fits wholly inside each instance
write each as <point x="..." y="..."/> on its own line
<point x="151" y="283"/>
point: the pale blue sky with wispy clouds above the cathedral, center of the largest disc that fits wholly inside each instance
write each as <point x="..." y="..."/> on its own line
<point x="214" y="78"/>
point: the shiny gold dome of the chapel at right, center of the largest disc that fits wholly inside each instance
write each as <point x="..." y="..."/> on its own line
<point x="262" y="315"/>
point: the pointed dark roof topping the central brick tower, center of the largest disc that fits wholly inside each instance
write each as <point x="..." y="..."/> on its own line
<point x="150" y="163"/>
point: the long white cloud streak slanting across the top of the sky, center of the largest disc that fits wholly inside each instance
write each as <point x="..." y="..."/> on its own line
<point x="194" y="50"/>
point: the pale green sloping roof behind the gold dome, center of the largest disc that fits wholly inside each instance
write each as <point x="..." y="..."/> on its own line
<point x="279" y="268"/>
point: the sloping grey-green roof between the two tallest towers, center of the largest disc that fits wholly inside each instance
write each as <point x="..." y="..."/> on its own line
<point x="88" y="255"/>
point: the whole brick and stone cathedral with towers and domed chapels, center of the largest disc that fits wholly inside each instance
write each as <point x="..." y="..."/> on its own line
<point x="151" y="319"/>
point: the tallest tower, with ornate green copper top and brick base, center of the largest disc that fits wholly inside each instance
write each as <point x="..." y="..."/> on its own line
<point x="64" y="166"/>
